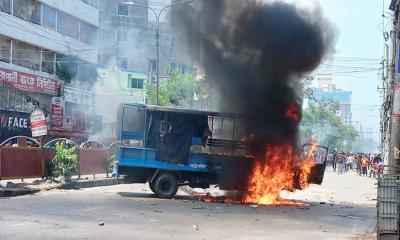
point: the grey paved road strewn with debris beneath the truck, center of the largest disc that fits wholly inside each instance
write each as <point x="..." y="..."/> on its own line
<point x="131" y="212"/>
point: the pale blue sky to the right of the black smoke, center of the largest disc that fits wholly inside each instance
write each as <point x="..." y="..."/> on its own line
<point x="358" y="53"/>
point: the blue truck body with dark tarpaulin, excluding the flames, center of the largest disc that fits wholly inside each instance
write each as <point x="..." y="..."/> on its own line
<point x="169" y="147"/>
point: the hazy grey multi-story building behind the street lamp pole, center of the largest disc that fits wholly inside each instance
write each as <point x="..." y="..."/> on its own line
<point x="127" y="37"/>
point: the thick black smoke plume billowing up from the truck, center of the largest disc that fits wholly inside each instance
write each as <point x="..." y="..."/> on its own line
<point x="255" y="53"/>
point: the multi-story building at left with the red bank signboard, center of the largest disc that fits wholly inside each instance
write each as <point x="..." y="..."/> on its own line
<point x="45" y="44"/>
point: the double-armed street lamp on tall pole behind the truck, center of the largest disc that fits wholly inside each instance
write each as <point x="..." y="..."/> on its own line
<point x="157" y="15"/>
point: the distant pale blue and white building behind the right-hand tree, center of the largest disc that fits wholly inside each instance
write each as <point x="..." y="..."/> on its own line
<point x="327" y="91"/>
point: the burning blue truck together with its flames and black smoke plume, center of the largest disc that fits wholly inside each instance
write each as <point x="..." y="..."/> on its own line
<point x="254" y="53"/>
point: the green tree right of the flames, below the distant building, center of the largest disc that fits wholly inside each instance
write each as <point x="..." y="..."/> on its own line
<point x="320" y="121"/>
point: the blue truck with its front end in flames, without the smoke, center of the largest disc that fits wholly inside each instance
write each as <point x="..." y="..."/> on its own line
<point x="170" y="147"/>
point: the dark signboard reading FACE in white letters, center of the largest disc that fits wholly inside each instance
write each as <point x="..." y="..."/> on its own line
<point x="14" y="123"/>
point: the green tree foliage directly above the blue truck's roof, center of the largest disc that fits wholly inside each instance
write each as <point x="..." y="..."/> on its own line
<point x="179" y="90"/>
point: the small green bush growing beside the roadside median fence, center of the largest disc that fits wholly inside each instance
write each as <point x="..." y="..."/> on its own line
<point x="65" y="163"/>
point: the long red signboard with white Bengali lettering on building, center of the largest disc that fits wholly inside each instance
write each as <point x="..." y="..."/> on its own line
<point x="28" y="82"/>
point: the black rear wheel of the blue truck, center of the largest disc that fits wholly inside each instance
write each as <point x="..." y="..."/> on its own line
<point x="165" y="186"/>
